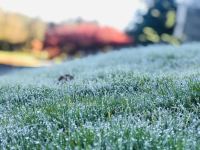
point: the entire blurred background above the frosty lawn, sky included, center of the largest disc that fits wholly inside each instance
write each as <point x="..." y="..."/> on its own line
<point x="38" y="33"/>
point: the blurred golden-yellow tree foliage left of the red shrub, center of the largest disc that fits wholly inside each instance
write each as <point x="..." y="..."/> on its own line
<point x="19" y="31"/>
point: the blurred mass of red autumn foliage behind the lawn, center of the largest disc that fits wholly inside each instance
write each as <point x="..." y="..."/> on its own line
<point x="84" y="36"/>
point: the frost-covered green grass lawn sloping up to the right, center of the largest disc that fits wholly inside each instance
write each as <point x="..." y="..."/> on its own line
<point x="144" y="98"/>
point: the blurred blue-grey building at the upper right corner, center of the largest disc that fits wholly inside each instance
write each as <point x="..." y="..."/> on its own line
<point x="188" y="20"/>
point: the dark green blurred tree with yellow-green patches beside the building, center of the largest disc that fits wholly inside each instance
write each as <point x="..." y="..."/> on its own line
<point x="157" y="25"/>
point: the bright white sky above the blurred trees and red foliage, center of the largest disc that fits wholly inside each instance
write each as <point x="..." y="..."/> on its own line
<point x="116" y="13"/>
